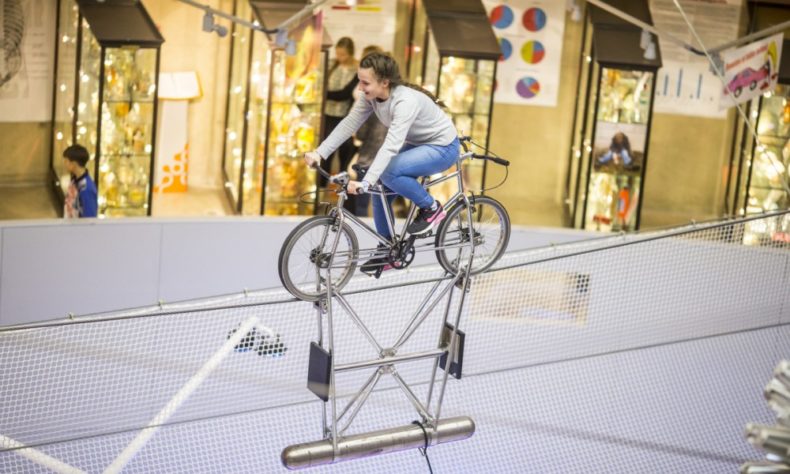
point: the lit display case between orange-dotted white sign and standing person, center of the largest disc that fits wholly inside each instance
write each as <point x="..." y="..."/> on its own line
<point x="274" y="115"/>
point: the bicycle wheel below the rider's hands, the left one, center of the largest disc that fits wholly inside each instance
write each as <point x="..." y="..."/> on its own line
<point x="306" y="256"/>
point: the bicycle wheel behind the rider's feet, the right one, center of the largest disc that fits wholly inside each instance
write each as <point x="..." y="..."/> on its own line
<point x="490" y="234"/>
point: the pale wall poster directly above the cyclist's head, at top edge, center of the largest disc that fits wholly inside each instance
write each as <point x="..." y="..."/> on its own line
<point x="367" y="22"/>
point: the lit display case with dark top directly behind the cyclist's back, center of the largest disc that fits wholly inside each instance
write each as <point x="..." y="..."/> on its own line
<point x="458" y="69"/>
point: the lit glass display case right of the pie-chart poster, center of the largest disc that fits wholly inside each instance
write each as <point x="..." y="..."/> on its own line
<point x="611" y="129"/>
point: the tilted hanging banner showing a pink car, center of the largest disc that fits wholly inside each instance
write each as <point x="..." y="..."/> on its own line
<point x="751" y="70"/>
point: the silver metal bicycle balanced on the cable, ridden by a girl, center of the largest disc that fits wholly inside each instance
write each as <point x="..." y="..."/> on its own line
<point x="314" y="245"/>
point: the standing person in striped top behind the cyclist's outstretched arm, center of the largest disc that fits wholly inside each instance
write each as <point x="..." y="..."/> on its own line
<point x="341" y="82"/>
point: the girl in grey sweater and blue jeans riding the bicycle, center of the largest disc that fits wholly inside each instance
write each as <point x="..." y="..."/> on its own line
<point x="421" y="141"/>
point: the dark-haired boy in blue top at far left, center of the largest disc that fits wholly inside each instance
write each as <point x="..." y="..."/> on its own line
<point x="81" y="198"/>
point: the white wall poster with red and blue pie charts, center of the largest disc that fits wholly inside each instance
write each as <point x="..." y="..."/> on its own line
<point x="529" y="33"/>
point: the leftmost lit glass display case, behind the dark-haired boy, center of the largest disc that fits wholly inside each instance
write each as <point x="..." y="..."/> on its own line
<point x="106" y="97"/>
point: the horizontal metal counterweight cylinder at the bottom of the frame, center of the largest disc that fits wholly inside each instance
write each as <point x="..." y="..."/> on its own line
<point x="300" y="456"/>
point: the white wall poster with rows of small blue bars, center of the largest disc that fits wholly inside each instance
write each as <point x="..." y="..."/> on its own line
<point x="685" y="84"/>
